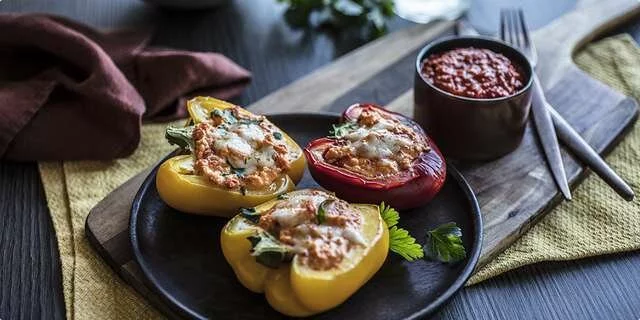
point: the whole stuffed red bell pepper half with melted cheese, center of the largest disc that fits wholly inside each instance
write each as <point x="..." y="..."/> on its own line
<point x="375" y="155"/>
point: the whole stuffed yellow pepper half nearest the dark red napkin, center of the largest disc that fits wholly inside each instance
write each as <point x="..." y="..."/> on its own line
<point x="234" y="159"/>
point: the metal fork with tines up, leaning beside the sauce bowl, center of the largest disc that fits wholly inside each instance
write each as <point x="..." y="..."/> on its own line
<point x="513" y="30"/>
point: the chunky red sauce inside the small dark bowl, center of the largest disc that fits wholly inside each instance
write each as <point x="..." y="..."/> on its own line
<point x="473" y="73"/>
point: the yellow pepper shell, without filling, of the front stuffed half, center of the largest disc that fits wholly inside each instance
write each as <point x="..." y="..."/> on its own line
<point x="293" y="288"/>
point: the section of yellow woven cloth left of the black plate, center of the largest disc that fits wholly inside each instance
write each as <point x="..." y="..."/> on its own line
<point x="91" y="289"/>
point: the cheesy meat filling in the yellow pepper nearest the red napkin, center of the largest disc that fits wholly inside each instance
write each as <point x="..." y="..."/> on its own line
<point x="241" y="151"/>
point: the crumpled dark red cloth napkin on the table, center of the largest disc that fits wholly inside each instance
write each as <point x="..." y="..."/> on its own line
<point x="70" y="92"/>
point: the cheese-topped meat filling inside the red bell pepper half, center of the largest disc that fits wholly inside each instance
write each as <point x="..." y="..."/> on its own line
<point x="376" y="146"/>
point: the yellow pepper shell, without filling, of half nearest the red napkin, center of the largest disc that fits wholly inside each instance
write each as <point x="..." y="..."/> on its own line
<point x="183" y="190"/>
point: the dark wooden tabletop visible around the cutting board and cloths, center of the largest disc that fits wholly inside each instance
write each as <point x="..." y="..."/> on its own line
<point x="252" y="33"/>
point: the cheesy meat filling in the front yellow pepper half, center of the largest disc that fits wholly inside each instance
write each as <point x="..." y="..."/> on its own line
<point x="320" y="244"/>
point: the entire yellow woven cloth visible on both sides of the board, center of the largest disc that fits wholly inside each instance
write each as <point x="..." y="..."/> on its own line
<point x="596" y="222"/>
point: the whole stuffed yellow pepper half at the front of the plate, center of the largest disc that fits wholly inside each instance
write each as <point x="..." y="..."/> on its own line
<point x="308" y="251"/>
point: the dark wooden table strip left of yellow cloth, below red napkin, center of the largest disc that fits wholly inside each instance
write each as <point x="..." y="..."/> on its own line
<point x="26" y="241"/>
